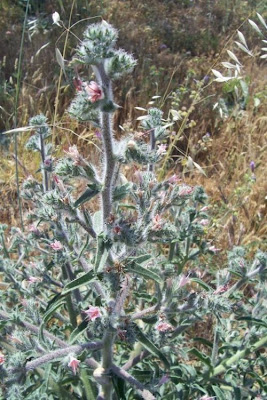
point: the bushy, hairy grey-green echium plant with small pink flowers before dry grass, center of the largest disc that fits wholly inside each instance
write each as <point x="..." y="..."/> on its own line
<point x="106" y="303"/>
